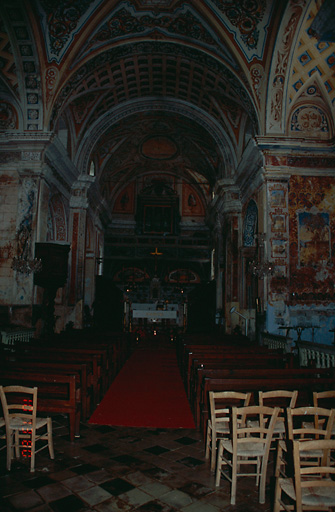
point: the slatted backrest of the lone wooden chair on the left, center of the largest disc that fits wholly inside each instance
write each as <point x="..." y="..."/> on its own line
<point x="19" y="403"/>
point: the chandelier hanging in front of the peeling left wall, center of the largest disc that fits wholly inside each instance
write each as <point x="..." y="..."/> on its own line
<point x="23" y="263"/>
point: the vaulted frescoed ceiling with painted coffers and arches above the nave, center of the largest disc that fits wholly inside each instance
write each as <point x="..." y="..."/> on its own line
<point x="103" y="72"/>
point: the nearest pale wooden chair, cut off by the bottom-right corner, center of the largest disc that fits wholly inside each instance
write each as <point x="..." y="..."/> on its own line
<point x="312" y="486"/>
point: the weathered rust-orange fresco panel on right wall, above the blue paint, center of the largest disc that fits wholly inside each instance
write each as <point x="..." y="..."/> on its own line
<point x="312" y="244"/>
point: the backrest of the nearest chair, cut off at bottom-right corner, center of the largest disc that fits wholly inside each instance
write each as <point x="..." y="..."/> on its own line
<point x="318" y="477"/>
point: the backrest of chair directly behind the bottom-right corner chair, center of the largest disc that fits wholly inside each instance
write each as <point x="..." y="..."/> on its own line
<point x="309" y="423"/>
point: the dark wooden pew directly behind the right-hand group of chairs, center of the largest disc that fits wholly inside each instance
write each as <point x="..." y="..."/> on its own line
<point x="304" y="385"/>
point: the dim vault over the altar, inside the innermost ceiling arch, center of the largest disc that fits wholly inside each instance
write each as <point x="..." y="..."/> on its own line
<point x="202" y="147"/>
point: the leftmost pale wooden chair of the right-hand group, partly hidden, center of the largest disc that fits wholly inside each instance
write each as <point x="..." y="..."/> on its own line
<point x="219" y="423"/>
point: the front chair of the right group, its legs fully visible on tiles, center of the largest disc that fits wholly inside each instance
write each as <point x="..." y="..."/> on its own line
<point x="249" y="445"/>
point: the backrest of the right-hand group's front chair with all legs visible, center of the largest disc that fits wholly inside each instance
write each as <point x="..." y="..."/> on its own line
<point x="253" y="424"/>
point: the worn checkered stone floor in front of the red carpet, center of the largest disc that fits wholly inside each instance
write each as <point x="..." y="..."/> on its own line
<point x="123" y="469"/>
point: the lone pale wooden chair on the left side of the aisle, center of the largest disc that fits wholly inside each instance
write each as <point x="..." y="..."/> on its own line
<point x="19" y="404"/>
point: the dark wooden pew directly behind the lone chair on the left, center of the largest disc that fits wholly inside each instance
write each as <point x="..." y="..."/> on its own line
<point x="57" y="393"/>
